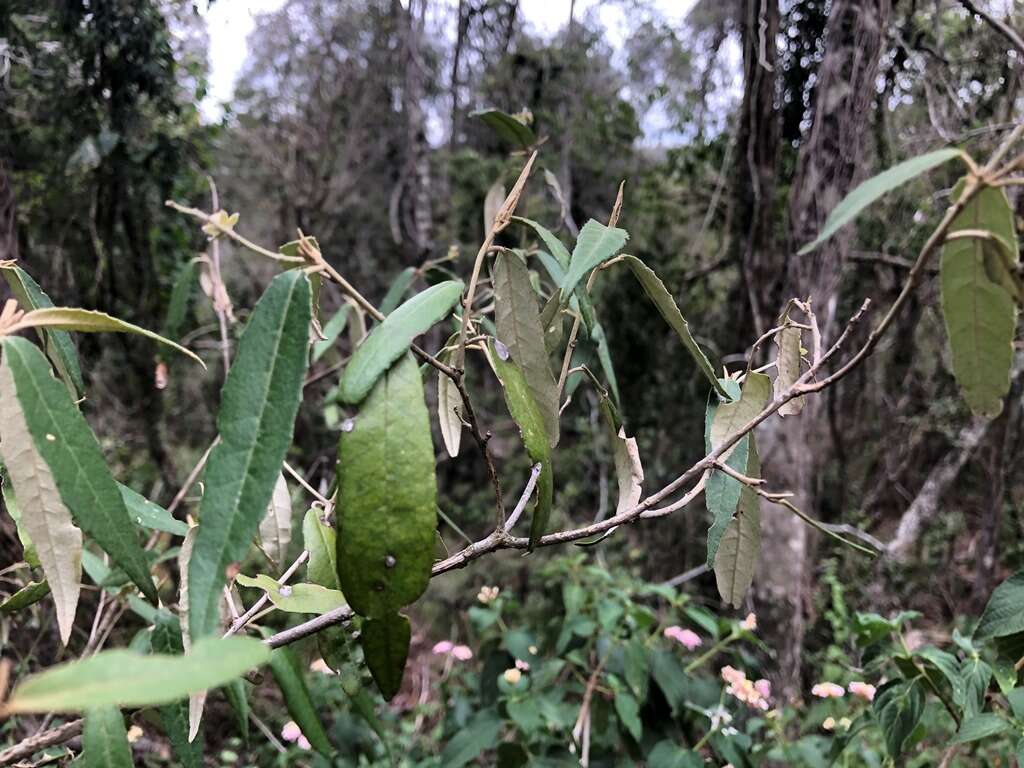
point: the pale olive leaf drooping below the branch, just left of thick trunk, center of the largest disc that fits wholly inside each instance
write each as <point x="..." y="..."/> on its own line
<point x="740" y="548"/>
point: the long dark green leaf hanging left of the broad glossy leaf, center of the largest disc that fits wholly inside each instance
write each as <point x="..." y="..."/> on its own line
<point x="259" y="406"/>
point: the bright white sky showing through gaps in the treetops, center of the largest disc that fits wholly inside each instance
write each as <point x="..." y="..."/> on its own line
<point x="230" y="22"/>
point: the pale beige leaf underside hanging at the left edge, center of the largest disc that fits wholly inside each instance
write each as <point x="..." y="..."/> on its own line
<point x="45" y="517"/>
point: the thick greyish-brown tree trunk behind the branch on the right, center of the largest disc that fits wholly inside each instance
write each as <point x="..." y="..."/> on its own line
<point x="830" y="163"/>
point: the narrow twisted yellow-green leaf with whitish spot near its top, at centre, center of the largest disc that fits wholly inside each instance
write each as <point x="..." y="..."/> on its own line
<point x="528" y="417"/>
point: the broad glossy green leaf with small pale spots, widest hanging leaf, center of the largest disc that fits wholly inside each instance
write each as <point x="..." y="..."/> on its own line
<point x="388" y="497"/>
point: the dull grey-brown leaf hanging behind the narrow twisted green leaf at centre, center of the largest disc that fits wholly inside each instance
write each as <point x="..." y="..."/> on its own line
<point x="519" y="323"/>
